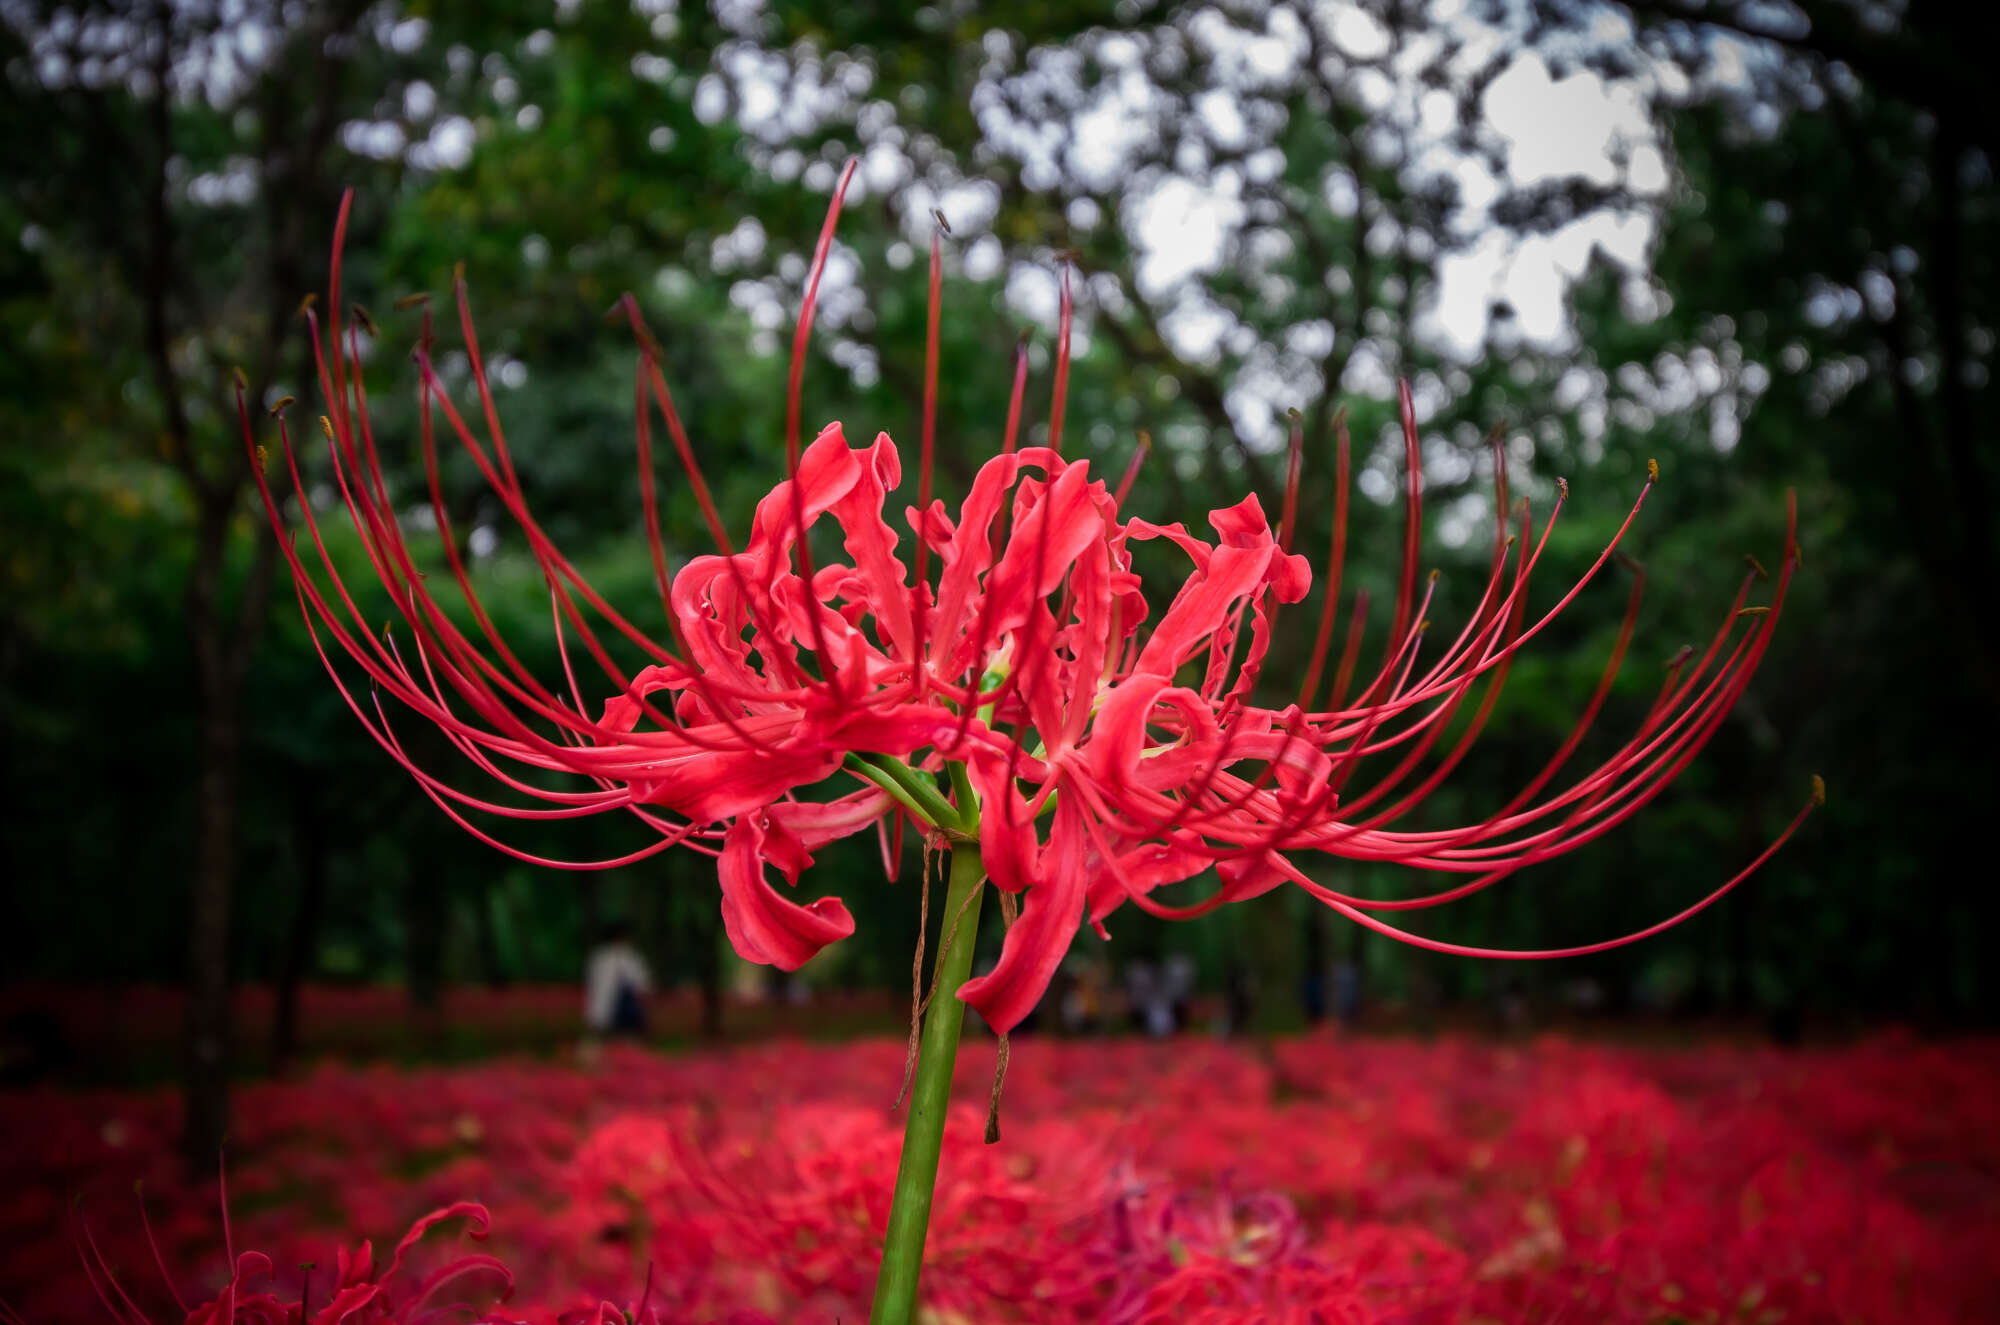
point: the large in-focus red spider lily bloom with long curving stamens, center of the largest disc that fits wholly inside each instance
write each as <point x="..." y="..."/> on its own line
<point x="1021" y="670"/>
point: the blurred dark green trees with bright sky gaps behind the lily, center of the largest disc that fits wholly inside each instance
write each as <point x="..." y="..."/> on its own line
<point x="1263" y="207"/>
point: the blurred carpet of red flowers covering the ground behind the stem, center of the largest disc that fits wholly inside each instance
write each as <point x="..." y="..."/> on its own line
<point x="1305" y="1180"/>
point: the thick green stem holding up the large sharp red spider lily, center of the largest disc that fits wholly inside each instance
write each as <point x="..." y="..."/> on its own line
<point x="923" y="1136"/>
